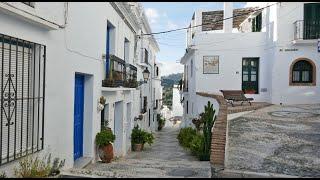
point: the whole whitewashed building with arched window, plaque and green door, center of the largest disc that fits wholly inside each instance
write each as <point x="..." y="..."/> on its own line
<point x="272" y="51"/>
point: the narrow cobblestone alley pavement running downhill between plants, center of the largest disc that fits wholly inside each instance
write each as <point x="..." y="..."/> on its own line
<point x="165" y="158"/>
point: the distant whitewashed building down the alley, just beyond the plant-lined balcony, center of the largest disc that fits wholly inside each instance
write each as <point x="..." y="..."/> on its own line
<point x="146" y="50"/>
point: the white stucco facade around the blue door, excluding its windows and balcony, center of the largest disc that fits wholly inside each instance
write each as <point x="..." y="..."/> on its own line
<point x="75" y="38"/>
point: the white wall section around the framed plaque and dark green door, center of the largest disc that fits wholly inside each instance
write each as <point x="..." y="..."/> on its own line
<point x="230" y="48"/>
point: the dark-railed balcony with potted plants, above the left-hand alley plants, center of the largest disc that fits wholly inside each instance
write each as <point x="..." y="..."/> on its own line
<point x="118" y="75"/>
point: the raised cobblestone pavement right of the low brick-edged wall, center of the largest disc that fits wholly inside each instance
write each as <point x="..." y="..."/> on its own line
<point x="276" y="139"/>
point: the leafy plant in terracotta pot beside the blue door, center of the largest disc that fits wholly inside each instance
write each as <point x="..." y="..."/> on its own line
<point x="103" y="141"/>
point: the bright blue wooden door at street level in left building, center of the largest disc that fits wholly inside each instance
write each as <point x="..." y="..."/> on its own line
<point x="78" y="116"/>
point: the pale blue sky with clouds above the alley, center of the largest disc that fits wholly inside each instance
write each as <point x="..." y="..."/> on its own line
<point x="164" y="16"/>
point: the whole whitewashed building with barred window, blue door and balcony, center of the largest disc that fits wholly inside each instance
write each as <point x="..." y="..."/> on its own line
<point x="56" y="58"/>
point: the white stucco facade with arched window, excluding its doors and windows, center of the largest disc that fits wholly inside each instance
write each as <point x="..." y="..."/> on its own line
<point x="276" y="46"/>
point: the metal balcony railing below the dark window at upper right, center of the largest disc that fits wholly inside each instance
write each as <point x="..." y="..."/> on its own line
<point x="306" y="29"/>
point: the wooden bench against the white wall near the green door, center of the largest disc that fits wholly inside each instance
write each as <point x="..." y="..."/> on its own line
<point x="232" y="96"/>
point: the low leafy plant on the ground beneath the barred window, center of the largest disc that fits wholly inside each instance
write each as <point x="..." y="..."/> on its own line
<point x="34" y="167"/>
